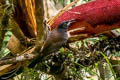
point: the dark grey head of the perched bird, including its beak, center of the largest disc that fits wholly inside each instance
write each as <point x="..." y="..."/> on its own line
<point x="65" y="24"/>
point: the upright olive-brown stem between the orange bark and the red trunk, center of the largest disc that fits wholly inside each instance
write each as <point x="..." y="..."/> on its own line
<point x="39" y="20"/>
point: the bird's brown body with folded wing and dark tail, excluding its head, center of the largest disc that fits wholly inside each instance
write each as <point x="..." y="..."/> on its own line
<point x="54" y="41"/>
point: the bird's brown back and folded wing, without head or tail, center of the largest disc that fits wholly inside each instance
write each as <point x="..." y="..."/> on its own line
<point x="54" y="41"/>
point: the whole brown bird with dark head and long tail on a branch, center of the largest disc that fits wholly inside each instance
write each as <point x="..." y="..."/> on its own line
<point x="55" y="40"/>
